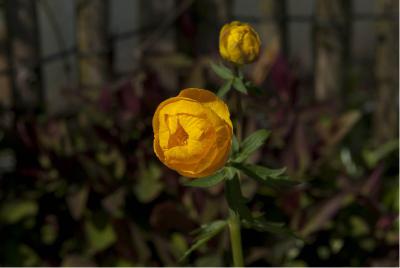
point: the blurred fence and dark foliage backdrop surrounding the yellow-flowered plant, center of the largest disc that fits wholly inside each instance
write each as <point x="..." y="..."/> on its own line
<point x="79" y="83"/>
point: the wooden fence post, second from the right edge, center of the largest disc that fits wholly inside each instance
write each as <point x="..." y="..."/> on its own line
<point x="332" y="45"/>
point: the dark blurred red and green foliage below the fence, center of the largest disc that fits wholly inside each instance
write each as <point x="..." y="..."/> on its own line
<point x="58" y="173"/>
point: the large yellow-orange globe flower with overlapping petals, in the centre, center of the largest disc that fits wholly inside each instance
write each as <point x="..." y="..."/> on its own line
<point x="193" y="132"/>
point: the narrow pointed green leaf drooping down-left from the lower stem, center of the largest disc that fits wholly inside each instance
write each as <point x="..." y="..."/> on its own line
<point x="204" y="234"/>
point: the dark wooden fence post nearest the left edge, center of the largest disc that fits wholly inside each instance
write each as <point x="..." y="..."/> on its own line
<point x="24" y="52"/>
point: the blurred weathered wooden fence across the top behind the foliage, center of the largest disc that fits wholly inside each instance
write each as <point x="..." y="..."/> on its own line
<point x="23" y="66"/>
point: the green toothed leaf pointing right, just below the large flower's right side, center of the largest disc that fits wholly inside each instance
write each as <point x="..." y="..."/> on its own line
<point x="273" y="178"/>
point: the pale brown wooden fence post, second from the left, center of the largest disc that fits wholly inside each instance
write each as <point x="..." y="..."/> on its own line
<point x="93" y="43"/>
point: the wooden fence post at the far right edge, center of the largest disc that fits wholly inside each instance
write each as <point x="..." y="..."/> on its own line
<point x="386" y="72"/>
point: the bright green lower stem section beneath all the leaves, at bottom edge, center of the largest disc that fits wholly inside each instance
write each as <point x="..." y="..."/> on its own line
<point x="236" y="239"/>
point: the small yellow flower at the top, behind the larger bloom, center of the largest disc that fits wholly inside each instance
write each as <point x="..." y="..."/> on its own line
<point x="239" y="43"/>
